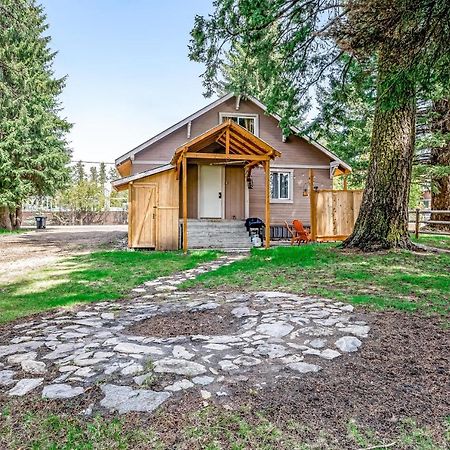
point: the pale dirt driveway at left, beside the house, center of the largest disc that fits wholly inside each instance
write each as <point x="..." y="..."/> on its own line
<point x="25" y="252"/>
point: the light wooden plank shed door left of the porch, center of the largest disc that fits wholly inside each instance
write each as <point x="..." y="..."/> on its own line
<point x="142" y="215"/>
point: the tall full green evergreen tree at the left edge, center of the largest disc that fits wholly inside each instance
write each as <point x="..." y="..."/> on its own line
<point x="33" y="149"/>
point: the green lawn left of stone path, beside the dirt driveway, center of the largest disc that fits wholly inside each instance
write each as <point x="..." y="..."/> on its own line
<point x="105" y="275"/>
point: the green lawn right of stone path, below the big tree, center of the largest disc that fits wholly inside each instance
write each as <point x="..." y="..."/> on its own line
<point x="396" y="279"/>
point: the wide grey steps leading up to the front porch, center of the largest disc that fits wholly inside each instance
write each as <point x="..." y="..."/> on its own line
<point x="218" y="234"/>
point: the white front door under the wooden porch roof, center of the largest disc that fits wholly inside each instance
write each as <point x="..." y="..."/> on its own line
<point x="210" y="192"/>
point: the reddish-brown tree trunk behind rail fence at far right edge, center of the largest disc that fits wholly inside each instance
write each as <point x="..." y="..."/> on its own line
<point x="440" y="186"/>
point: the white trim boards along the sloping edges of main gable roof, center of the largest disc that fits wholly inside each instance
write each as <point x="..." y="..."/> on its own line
<point x="212" y="105"/>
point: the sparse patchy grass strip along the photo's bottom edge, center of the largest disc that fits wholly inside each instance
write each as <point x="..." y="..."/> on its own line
<point x="209" y="428"/>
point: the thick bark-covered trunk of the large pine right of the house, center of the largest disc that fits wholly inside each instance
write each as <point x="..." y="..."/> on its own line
<point x="382" y="222"/>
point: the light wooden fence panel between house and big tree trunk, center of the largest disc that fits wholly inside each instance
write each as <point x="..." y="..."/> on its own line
<point x="335" y="213"/>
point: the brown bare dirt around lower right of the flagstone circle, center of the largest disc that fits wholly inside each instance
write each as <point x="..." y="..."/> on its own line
<point x="401" y="372"/>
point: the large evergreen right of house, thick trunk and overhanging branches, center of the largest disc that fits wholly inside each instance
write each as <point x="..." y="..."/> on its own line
<point x="410" y="42"/>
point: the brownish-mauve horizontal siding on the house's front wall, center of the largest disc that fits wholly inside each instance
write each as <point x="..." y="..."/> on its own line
<point x="295" y="151"/>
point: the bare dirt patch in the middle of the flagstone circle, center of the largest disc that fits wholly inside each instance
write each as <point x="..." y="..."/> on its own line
<point x="209" y="322"/>
